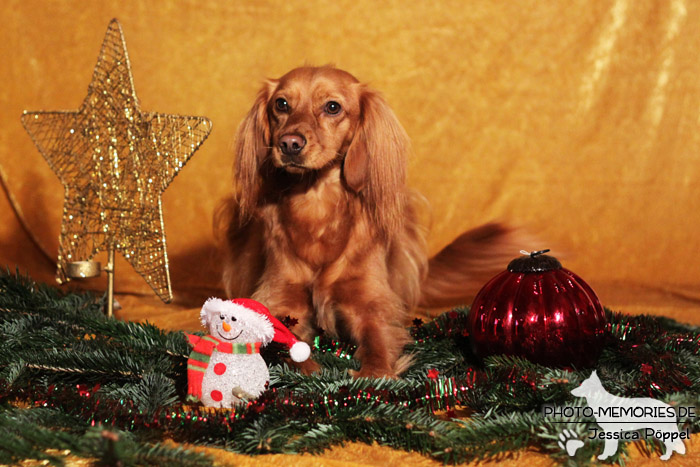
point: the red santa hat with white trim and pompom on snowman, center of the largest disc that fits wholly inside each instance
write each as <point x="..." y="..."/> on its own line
<point x="256" y="316"/>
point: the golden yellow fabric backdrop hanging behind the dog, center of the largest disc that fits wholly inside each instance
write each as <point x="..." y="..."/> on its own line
<point x="577" y="120"/>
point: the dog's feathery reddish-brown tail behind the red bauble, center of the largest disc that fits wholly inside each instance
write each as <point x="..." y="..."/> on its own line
<point x="460" y="269"/>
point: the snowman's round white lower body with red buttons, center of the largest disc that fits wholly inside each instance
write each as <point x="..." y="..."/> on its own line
<point x="233" y="375"/>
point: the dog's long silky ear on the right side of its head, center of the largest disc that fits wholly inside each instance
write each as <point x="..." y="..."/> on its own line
<point x="375" y="164"/>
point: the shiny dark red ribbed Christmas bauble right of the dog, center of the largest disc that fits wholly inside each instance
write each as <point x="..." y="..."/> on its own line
<point x="538" y="310"/>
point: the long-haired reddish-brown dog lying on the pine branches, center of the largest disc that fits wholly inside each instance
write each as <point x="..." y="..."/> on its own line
<point x="322" y="227"/>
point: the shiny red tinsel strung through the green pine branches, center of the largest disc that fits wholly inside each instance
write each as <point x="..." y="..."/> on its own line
<point x="657" y="374"/>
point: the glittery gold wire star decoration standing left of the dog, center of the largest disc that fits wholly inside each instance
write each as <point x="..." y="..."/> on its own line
<point x="115" y="162"/>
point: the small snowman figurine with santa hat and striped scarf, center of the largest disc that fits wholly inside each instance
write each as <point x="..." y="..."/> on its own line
<point x="225" y="366"/>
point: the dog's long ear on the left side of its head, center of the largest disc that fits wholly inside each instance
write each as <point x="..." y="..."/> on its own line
<point x="251" y="147"/>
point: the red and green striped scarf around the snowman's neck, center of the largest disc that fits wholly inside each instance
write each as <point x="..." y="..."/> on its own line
<point x="198" y="361"/>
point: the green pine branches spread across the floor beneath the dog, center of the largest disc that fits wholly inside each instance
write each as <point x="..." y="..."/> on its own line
<point x="111" y="390"/>
